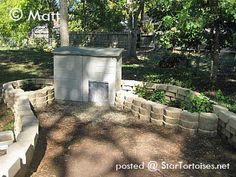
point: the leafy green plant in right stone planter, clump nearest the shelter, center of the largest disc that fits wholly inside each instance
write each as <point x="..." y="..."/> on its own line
<point x="147" y="93"/>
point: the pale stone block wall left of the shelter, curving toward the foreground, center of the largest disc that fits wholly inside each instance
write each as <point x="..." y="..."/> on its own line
<point x="26" y="125"/>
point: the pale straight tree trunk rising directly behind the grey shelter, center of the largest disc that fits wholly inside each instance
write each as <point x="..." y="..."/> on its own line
<point x="64" y="32"/>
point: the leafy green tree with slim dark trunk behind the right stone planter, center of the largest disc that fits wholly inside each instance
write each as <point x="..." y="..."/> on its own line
<point x="190" y="23"/>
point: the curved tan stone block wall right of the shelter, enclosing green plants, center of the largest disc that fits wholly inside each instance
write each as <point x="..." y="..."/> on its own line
<point x="221" y="121"/>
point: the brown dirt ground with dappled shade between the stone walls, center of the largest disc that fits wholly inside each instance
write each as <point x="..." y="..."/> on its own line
<point x="78" y="140"/>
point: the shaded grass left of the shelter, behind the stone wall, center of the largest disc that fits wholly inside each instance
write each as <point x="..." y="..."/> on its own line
<point x="21" y="64"/>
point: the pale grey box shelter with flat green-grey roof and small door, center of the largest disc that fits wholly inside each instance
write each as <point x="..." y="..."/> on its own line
<point x="87" y="74"/>
